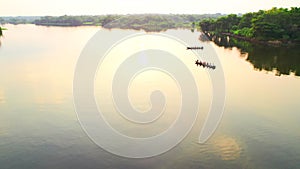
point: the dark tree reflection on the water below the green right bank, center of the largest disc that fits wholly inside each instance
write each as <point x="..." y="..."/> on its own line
<point x="282" y="60"/>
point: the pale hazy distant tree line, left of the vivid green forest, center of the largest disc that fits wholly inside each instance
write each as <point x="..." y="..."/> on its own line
<point x="147" y="22"/>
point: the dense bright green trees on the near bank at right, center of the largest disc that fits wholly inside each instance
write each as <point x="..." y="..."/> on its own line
<point x="280" y="24"/>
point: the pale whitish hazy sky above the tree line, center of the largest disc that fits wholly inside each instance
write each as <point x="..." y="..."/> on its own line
<point x="95" y="7"/>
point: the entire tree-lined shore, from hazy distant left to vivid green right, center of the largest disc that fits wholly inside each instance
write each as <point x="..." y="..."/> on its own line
<point x="277" y="26"/>
